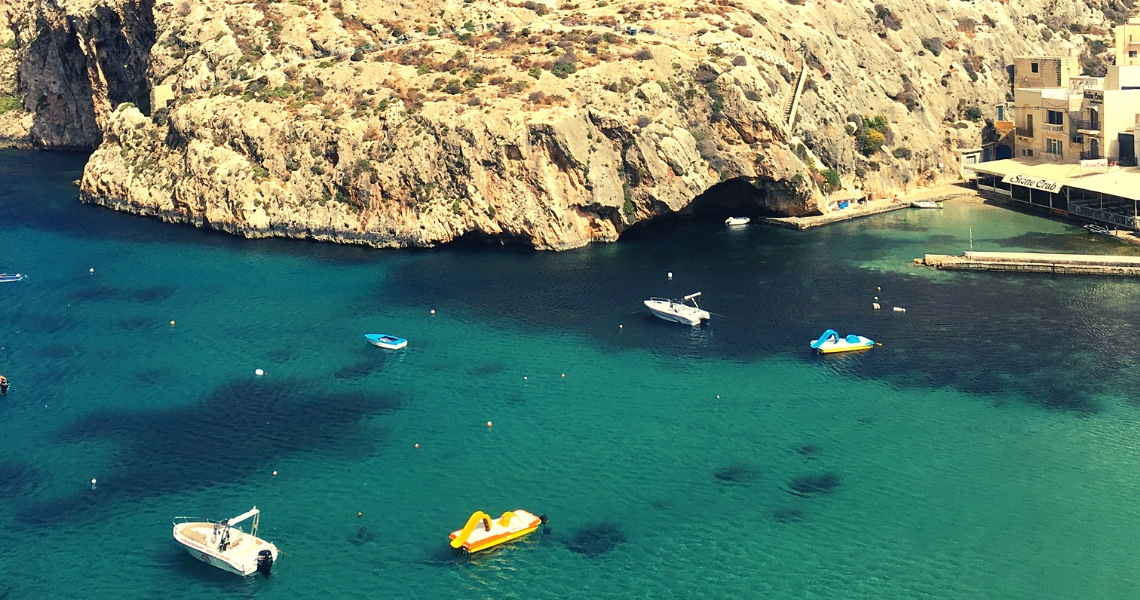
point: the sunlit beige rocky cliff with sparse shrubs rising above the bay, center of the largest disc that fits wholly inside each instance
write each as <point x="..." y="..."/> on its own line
<point x="556" y="125"/>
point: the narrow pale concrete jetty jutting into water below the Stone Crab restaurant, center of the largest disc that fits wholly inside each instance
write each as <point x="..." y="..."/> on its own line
<point x="1037" y="263"/>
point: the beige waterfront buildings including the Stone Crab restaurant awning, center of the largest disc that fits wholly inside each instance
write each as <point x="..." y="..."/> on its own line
<point x="1076" y="137"/>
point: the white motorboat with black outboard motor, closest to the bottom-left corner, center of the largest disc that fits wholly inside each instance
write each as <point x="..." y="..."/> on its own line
<point x="225" y="546"/>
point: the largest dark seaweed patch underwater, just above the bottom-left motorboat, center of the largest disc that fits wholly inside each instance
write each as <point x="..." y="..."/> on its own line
<point x="239" y="428"/>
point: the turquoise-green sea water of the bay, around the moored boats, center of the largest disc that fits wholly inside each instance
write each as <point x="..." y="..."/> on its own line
<point x="988" y="450"/>
